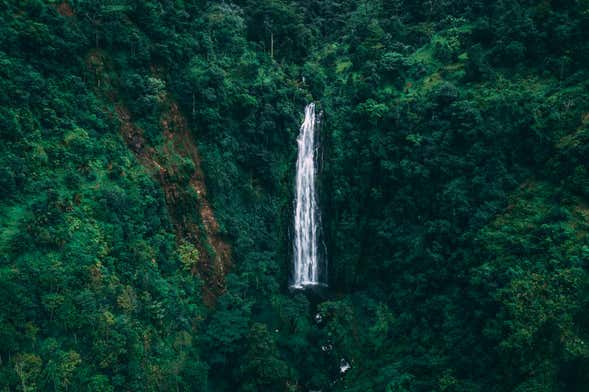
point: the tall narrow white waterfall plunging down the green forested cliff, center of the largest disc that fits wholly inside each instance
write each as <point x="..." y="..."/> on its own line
<point x="308" y="268"/>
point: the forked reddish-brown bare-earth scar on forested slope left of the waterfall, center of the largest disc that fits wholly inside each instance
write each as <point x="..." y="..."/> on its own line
<point x="175" y="164"/>
